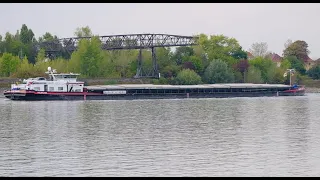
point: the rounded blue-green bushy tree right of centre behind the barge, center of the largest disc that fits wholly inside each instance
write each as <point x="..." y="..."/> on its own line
<point x="218" y="72"/>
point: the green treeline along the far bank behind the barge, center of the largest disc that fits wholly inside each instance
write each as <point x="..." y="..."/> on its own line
<point x="217" y="59"/>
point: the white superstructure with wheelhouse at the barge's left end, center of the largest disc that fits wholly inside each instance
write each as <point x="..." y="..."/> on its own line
<point x="62" y="82"/>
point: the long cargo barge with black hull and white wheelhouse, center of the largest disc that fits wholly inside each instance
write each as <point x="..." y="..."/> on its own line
<point x="66" y="87"/>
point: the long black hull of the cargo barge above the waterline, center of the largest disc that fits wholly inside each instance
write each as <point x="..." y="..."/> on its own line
<point x="50" y="97"/>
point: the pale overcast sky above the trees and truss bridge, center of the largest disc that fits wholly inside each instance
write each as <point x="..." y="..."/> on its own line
<point x="273" y="23"/>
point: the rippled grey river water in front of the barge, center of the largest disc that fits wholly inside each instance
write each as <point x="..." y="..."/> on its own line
<point x="265" y="136"/>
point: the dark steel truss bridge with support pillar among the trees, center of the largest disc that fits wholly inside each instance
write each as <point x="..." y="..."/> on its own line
<point x="118" y="42"/>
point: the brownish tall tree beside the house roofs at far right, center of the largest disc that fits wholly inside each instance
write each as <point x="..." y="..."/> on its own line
<point x="299" y="49"/>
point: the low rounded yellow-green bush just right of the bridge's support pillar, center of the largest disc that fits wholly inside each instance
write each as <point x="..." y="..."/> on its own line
<point x="188" y="77"/>
